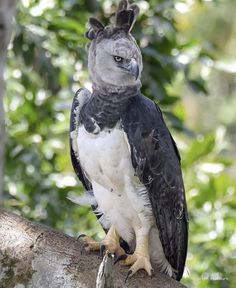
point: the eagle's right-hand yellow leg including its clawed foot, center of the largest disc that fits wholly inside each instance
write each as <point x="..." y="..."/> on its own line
<point x="140" y="259"/>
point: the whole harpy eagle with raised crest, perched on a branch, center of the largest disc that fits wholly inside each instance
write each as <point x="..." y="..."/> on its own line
<point x="125" y="156"/>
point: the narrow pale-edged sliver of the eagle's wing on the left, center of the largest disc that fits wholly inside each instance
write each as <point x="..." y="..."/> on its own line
<point x="78" y="101"/>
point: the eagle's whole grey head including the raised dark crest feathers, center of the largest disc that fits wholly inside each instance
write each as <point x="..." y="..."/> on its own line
<point x="114" y="56"/>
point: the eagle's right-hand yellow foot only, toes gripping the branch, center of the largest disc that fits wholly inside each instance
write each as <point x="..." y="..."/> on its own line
<point x="138" y="262"/>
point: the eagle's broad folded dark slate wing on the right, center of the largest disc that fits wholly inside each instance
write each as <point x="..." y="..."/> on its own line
<point x="156" y="161"/>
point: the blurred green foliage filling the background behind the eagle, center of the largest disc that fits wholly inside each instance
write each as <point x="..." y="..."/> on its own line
<point x="47" y="64"/>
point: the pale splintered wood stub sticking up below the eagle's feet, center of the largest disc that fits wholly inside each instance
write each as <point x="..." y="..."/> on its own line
<point x="104" y="276"/>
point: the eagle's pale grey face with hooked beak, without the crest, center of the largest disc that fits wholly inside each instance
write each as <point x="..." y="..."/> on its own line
<point x="116" y="62"/>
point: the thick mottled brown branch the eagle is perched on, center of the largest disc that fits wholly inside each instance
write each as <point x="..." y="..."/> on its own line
<point x="32" y="255"/>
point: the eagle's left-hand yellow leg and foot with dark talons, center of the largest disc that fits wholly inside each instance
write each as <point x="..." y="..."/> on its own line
<point x="110" y="243"/>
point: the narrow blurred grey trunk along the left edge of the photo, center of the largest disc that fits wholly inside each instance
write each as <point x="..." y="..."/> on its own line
<point x="7" y="10"/>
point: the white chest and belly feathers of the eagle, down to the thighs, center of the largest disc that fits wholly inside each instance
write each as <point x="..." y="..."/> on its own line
<point x="122" y="199"/>
